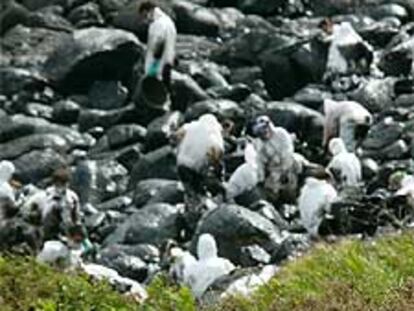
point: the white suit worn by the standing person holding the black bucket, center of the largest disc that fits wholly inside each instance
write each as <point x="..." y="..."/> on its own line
<point x="161" y="31"/>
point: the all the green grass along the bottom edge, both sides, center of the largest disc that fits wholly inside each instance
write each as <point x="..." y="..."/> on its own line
<point x="351" y="275"/>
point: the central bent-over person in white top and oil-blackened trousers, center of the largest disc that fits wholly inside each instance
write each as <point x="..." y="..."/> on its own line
<point x="200" y="164"/>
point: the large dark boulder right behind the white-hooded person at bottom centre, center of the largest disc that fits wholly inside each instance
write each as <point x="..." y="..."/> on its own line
<point x="235" y="227"/>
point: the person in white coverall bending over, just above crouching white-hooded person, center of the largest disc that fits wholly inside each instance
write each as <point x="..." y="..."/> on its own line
<point x="348" y="120"/>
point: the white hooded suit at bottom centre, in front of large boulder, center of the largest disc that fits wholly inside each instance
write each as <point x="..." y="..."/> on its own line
<point x="208" y="268"/>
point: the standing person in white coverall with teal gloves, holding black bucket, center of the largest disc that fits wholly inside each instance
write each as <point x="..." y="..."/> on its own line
<point x="162" y="35"/>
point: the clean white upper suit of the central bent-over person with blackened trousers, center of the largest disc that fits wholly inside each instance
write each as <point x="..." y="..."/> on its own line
<point x="202" y="140"/>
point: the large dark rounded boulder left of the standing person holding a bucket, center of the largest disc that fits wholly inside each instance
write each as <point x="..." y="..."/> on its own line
<point x="93" y="54"/>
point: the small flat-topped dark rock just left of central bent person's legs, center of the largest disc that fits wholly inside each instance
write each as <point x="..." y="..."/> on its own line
<point x="151" y="191"/>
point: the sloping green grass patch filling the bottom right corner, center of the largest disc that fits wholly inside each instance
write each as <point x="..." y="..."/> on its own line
<point x="353" y="275"/>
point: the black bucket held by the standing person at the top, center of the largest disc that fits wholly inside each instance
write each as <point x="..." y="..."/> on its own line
<point x="153" y="93"/>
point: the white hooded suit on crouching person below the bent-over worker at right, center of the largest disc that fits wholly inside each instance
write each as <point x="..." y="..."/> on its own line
<point x="345" y="163"/>
